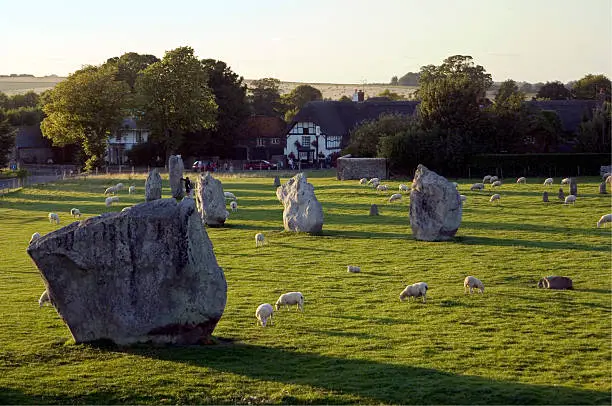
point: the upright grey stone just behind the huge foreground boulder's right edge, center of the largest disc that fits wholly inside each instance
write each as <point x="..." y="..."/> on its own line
<point x="210" y="200"/>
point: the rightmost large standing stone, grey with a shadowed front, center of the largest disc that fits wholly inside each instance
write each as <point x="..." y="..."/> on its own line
<point x="435" y="207"/>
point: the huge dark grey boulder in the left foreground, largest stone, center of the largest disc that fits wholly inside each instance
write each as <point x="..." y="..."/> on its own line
<point x="147" y="274"/>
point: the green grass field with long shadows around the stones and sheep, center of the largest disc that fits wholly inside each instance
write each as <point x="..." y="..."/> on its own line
<point x="355" y="342"/>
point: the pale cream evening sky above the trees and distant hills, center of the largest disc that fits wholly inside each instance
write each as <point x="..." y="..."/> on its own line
<point x="322" y="41"/>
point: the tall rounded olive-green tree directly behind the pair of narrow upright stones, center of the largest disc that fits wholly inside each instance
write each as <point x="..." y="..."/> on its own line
<point x="176" y="98"/>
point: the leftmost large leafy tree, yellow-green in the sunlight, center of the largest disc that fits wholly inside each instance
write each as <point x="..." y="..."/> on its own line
<point x="85" y="108"/>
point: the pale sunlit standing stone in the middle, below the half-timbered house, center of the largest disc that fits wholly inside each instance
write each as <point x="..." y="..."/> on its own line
<point x="303" y="212"/>
